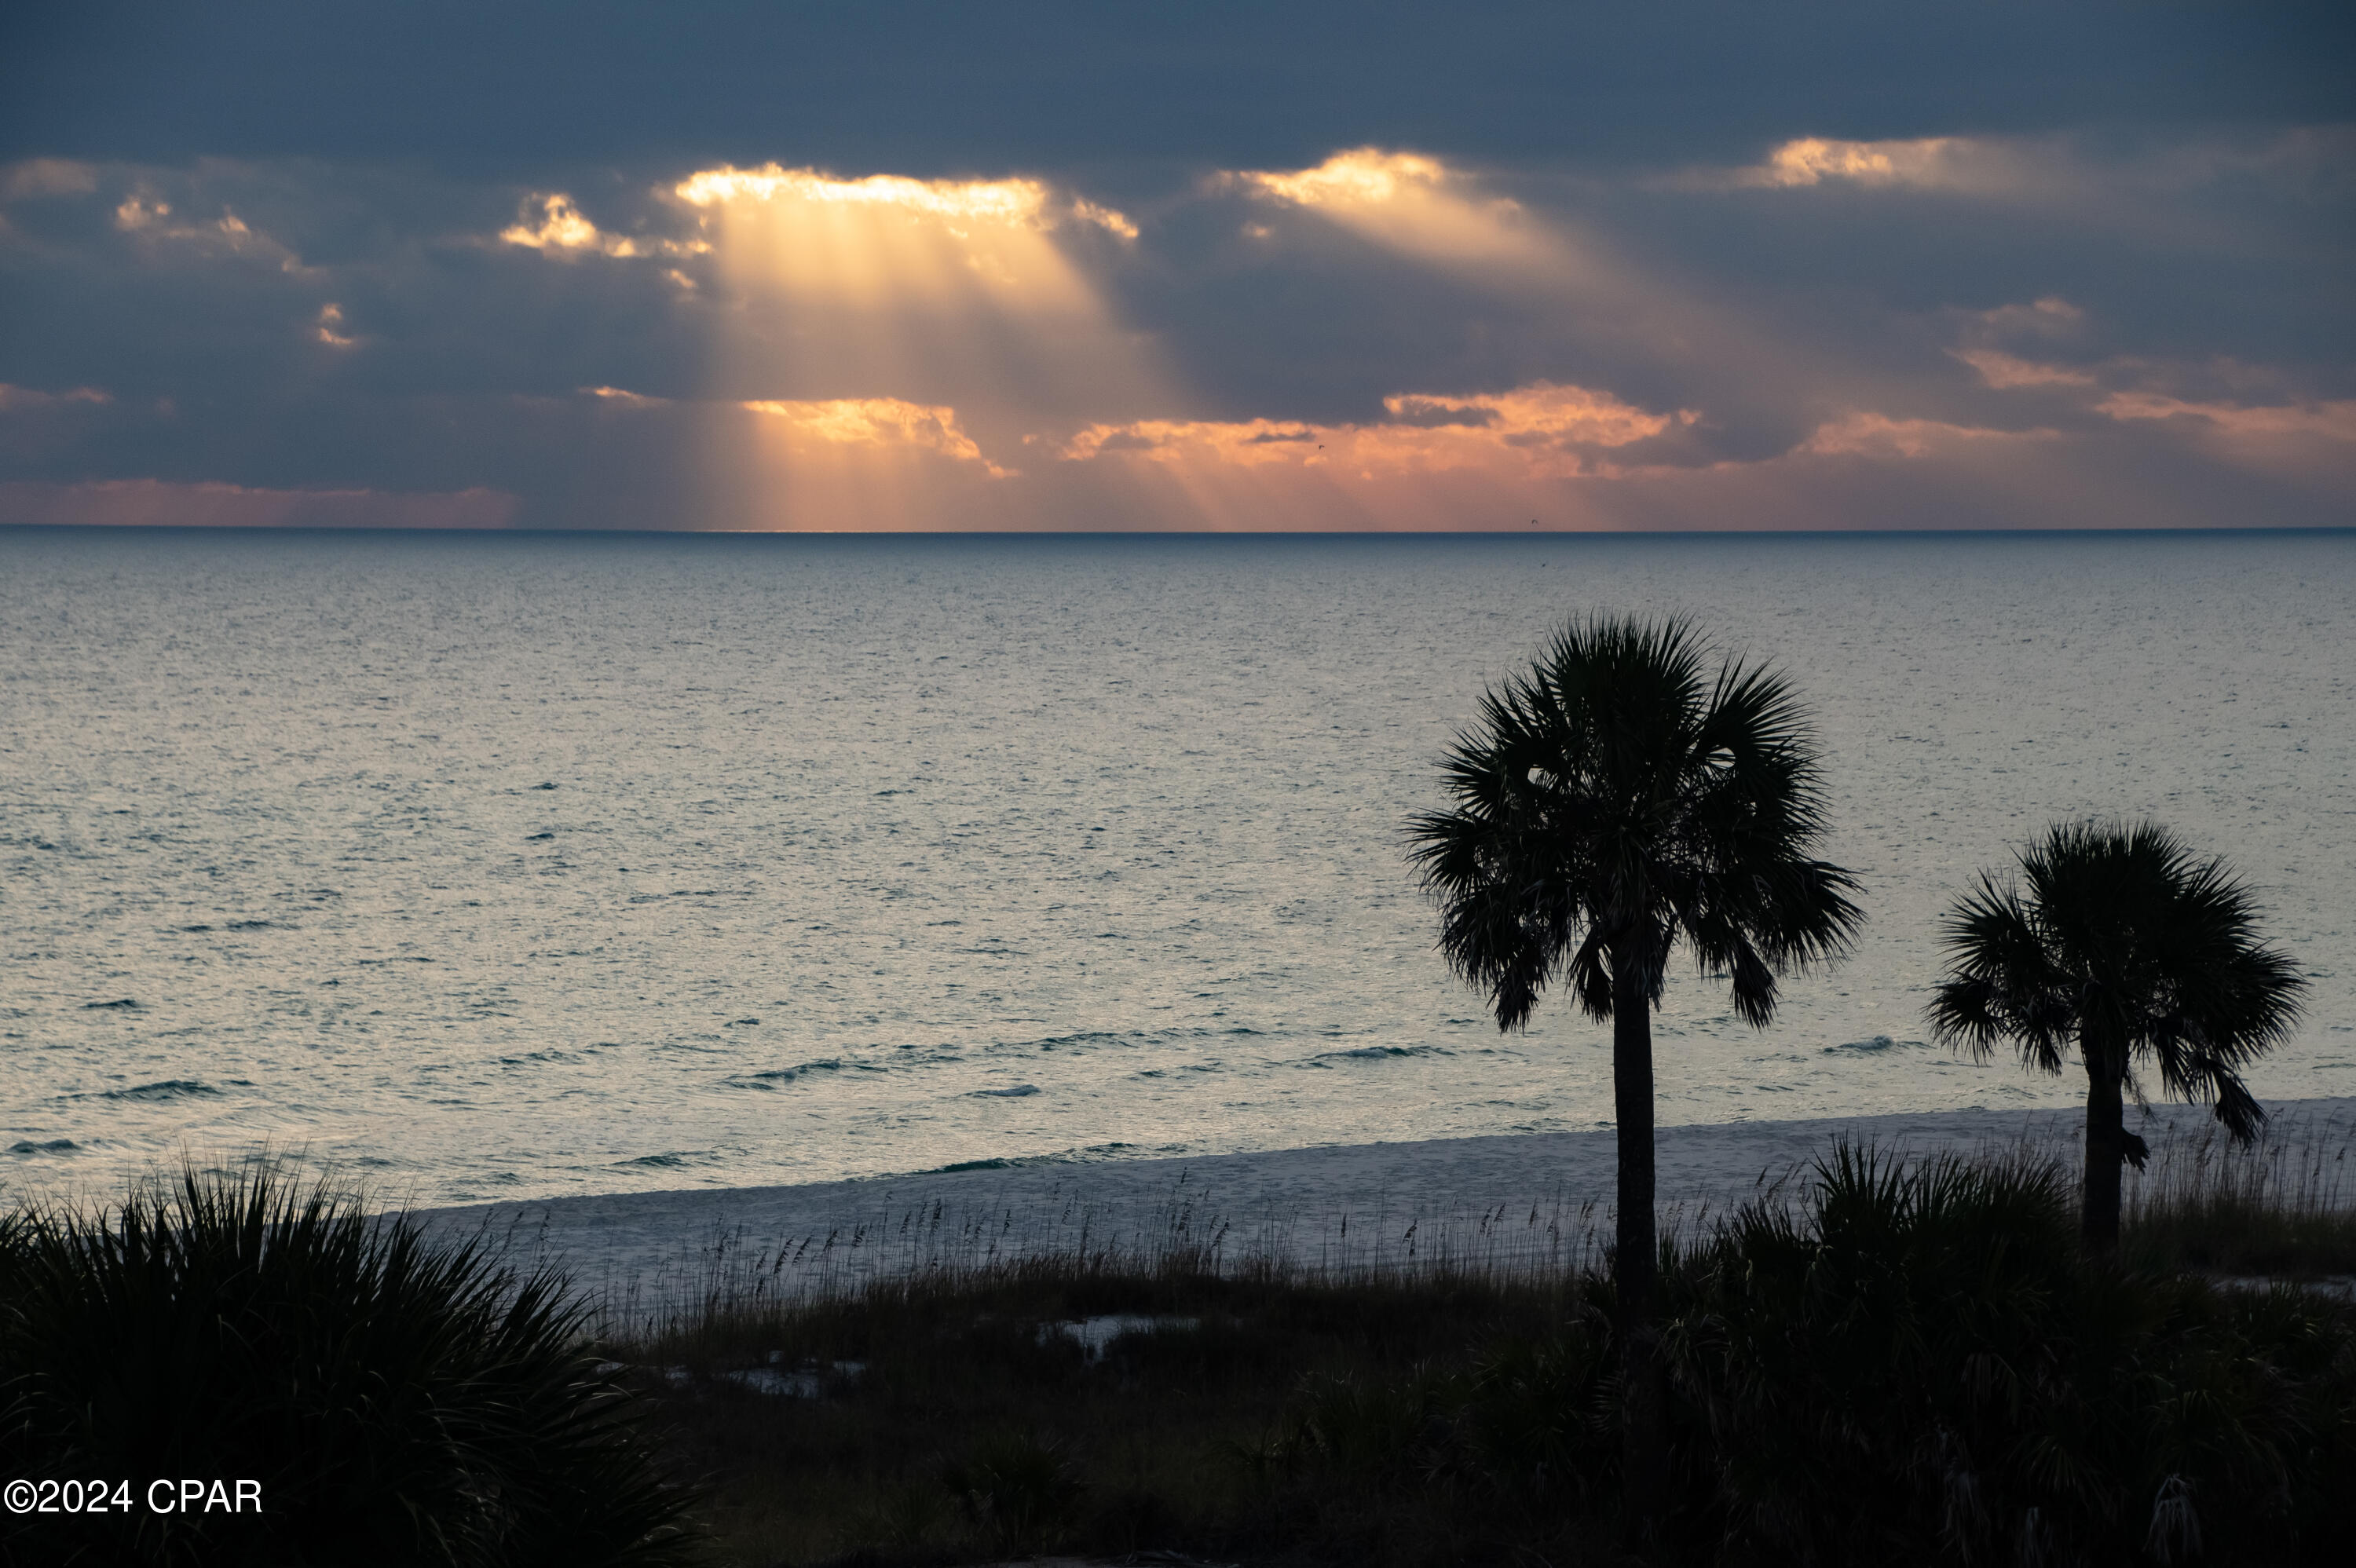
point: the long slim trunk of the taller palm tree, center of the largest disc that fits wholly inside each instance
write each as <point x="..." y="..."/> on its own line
<point x="1639" y="1251"/>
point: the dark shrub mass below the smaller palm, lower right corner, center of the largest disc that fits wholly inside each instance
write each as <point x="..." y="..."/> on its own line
<point x="1926" y="1369"/>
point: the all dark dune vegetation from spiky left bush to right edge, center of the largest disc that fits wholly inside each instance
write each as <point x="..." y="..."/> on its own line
<point x="1884" y="1364"/>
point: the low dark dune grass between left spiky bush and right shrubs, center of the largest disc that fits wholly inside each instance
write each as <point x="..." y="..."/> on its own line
<point x="962" y="1416"/>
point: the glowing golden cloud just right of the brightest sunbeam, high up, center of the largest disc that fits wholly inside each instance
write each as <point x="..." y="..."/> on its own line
<point x="1405" y="201"/>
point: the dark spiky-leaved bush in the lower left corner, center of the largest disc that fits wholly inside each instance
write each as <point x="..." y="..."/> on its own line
<point x="362" y="1395"/>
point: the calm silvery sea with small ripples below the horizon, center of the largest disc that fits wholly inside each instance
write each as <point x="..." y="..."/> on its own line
<point x="531" y="865"/>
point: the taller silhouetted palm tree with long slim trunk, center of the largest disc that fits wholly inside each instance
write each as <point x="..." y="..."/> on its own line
<point x="1613" y="804"/>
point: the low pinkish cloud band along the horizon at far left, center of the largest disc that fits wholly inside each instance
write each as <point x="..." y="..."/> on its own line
<point x="206" y="505"/>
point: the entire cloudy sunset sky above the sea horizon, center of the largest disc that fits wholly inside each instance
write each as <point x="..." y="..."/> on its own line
<point x="1215" y="267"/>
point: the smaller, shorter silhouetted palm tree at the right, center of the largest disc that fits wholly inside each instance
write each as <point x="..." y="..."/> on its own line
<point x="2126" y="948"/>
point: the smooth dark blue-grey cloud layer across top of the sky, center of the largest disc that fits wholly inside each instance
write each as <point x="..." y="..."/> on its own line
<point x="517" y="88"/>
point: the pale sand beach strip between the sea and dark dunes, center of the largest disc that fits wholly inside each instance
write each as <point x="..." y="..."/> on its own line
<point x="1478" y="1200"/>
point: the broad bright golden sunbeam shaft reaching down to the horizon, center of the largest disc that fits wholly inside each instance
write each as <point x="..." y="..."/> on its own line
<point x="901" y="335"/>
